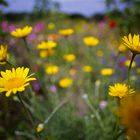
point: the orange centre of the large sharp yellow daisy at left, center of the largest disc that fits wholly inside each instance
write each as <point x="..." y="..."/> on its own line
<point x="15" y="82"/>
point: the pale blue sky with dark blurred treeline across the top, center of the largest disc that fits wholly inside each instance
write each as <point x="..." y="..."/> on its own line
<point x="126" y="12"/>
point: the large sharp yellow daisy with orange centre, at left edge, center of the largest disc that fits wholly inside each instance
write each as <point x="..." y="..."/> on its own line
<point x="15" y="80"/>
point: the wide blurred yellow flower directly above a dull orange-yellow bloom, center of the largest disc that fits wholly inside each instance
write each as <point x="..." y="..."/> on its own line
<point x="47" y="45"/>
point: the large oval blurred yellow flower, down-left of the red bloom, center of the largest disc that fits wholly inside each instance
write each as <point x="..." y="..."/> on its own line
<point x="90" y="41"/>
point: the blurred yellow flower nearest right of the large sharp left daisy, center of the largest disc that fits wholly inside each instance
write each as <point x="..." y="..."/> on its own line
<point x="52" y="69"/>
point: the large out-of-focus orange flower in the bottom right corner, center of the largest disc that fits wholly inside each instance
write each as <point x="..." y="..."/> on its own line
<point x="129" y="113"/>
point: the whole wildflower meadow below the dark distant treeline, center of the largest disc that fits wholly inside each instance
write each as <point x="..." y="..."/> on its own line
<point x="66" y="77"/>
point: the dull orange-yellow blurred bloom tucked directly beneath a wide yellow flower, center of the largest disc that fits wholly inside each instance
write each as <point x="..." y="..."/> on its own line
<point x="46" y="53"/>
